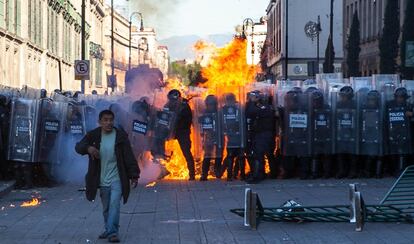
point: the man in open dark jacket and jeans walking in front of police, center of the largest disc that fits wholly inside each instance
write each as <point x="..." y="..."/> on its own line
<point x="112" y="167"/>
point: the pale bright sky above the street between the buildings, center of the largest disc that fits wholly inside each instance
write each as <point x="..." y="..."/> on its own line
<point x="196" y="17"/>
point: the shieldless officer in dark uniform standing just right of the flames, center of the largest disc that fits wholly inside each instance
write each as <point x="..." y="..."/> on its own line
<point x="263" y="137"/>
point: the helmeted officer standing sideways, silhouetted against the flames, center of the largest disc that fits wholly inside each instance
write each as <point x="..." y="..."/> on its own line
<point x="182" y="128"/>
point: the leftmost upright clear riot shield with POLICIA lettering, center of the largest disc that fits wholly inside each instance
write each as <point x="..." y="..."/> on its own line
<point x="22" y="135"/>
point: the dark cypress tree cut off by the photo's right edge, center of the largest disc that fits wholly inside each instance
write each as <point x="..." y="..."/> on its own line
<point x="407" y="35"/>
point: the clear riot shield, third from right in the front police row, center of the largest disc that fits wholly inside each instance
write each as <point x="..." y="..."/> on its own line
<point x="345" y="121"/>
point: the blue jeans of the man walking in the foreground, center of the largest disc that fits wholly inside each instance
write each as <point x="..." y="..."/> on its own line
<point x="111" y="203"/>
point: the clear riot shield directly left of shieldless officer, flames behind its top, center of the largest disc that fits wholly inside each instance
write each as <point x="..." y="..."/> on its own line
<point x="232" y="117"/>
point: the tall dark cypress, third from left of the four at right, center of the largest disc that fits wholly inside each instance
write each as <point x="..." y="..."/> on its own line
<point x="388" y="44"/>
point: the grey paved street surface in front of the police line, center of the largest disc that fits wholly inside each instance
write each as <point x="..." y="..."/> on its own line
<point x="193" y="212"/>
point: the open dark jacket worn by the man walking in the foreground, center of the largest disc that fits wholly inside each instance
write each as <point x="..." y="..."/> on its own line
<point x="127" y="165"/>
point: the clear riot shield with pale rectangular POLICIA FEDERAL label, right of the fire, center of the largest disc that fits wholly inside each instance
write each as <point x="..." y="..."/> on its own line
<point x="296" y="125"/>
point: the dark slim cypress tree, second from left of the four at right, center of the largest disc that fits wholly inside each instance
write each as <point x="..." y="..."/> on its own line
<point x="353" y="48"/>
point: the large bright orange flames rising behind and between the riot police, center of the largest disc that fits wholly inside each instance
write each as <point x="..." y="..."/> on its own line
<point x="226" y="70"/>
